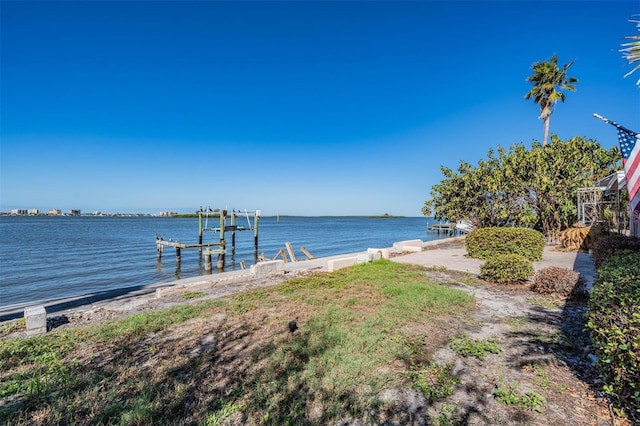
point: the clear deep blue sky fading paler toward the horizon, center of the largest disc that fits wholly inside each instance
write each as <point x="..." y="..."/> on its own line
<point x="309" y="108"/>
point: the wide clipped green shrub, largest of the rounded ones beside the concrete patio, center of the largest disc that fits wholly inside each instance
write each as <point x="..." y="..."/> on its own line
<point x="484" y="243"/>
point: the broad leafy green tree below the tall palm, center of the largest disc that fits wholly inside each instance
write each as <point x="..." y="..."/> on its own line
<point x="522" y="187"/>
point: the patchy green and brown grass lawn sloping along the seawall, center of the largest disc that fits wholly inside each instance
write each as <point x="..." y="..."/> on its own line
<point x="361" y="330"/>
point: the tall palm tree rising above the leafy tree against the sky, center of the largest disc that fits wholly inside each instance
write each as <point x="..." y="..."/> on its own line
<point x="548" y="80"/>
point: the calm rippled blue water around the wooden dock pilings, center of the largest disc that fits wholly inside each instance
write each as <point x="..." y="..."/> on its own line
<point x="45" y="258"/>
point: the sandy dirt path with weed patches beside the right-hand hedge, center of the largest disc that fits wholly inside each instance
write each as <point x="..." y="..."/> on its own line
<point x="545" y="366"/>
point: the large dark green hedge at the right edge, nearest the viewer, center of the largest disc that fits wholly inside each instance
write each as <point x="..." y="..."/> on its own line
<point x="614" y="323"/>
